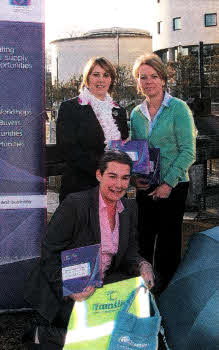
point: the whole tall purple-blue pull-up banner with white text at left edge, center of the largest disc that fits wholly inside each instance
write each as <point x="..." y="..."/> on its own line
<point x="22" y="183"/>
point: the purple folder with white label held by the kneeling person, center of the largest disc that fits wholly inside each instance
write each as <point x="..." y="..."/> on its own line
<point x="81" y="267"/>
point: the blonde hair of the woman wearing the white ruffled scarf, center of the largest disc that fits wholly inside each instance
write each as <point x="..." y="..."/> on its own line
<point x="103" y="63"/>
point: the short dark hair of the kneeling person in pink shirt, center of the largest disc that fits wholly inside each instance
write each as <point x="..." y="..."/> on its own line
<point x="114" y="156"/>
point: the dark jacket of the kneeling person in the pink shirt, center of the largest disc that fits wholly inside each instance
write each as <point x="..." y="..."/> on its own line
<point x="75" y="224"/>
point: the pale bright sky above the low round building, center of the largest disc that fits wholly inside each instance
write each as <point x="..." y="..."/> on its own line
<point x="65" y="17"/>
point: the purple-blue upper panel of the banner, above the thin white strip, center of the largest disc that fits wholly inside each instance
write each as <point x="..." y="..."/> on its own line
<point x="22" y="106"/>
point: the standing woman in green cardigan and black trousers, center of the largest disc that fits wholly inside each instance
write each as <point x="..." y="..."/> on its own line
<point x="167" y="123"/>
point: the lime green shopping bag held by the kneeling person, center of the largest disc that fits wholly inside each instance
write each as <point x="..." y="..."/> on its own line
<point x="92" y="321"/>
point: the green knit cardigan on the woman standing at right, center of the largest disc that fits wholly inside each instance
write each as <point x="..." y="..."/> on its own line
<point x="174" y="133"/>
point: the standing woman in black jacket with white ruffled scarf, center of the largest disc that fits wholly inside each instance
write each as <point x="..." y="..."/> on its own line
<point x="86" y="123"/>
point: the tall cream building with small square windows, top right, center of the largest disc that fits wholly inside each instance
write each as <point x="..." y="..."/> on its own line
<point x="182" y="24"/>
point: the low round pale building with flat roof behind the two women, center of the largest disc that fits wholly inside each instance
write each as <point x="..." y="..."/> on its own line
<point x="119" y="45"/>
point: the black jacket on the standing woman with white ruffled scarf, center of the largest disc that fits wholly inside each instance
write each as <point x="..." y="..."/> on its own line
<point x="80" y="140"/>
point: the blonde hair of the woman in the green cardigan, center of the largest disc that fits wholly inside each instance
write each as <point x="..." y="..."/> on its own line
<point x="153" y="61"/>
